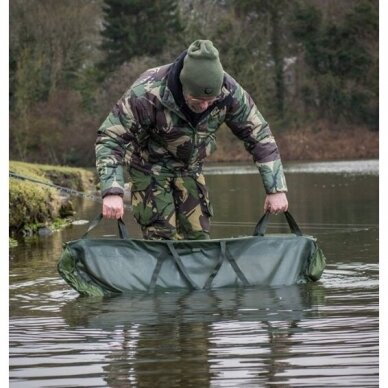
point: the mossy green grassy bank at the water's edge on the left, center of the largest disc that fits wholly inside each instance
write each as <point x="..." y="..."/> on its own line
<point x="33" y="206"/>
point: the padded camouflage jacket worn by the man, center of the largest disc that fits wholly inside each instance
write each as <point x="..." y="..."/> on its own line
<point x="151" y="129"/>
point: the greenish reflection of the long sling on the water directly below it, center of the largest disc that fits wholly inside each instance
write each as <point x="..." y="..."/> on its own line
<point x="270" y="304"/>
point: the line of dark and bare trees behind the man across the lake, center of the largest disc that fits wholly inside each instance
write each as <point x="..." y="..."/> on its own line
<point x="305" y="62"/>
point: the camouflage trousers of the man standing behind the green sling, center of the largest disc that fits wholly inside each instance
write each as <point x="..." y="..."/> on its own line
<point x="170" y="207"/>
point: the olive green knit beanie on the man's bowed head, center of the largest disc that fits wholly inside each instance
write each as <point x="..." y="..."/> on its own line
<point x="202" y="74"/>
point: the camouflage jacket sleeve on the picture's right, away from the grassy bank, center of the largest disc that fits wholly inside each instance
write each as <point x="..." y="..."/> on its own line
<point x="247" y="123"/>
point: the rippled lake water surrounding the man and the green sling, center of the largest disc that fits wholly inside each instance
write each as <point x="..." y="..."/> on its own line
<point x="317" y="335"/>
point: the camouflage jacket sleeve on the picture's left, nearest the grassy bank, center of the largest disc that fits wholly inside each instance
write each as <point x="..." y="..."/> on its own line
<point x="114" y="146"/>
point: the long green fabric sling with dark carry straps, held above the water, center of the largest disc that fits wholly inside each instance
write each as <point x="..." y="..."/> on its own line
<point x="106" y="266"/>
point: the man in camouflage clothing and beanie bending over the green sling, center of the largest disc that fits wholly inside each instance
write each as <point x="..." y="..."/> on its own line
<point x="163" y="128"/>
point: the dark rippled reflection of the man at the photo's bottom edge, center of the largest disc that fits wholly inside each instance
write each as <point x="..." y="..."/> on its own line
<point x="161" y="355"/>
